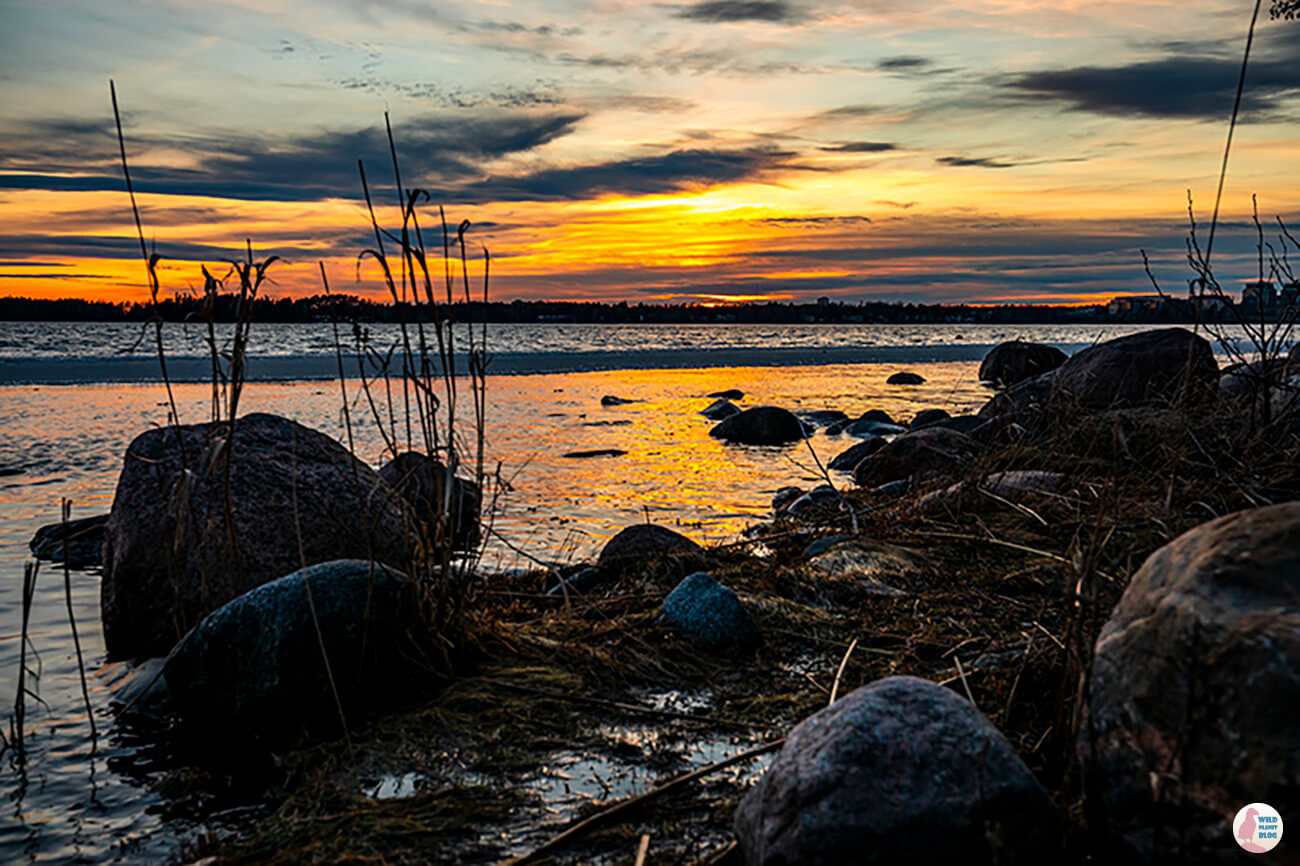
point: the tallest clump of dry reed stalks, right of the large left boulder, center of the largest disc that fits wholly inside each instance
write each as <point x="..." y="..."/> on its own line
<point x="418" y="408"/>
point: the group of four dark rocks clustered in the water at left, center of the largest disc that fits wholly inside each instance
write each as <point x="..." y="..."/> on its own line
<point x="267" y="564"/>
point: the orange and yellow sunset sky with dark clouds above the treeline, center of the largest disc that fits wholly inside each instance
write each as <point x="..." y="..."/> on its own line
<point x="982" y="150"/>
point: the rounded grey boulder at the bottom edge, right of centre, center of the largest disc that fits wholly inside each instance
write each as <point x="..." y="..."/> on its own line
<point x="899" y="772"/>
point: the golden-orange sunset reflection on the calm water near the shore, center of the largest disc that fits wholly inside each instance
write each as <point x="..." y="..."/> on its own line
<point x="71" y="440"/>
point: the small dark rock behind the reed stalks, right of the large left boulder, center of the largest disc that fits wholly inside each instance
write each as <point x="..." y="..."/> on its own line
<point x="423" y="483"/>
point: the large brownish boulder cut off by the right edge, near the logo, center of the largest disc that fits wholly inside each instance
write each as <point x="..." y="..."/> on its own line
<point x="1191" y="705"/>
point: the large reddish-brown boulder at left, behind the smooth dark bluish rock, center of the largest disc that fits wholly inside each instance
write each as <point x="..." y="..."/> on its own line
<point x="201" y="517"/>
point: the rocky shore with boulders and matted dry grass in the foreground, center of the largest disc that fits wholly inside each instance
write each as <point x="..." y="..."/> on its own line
<point x="1061" y="629"/>
